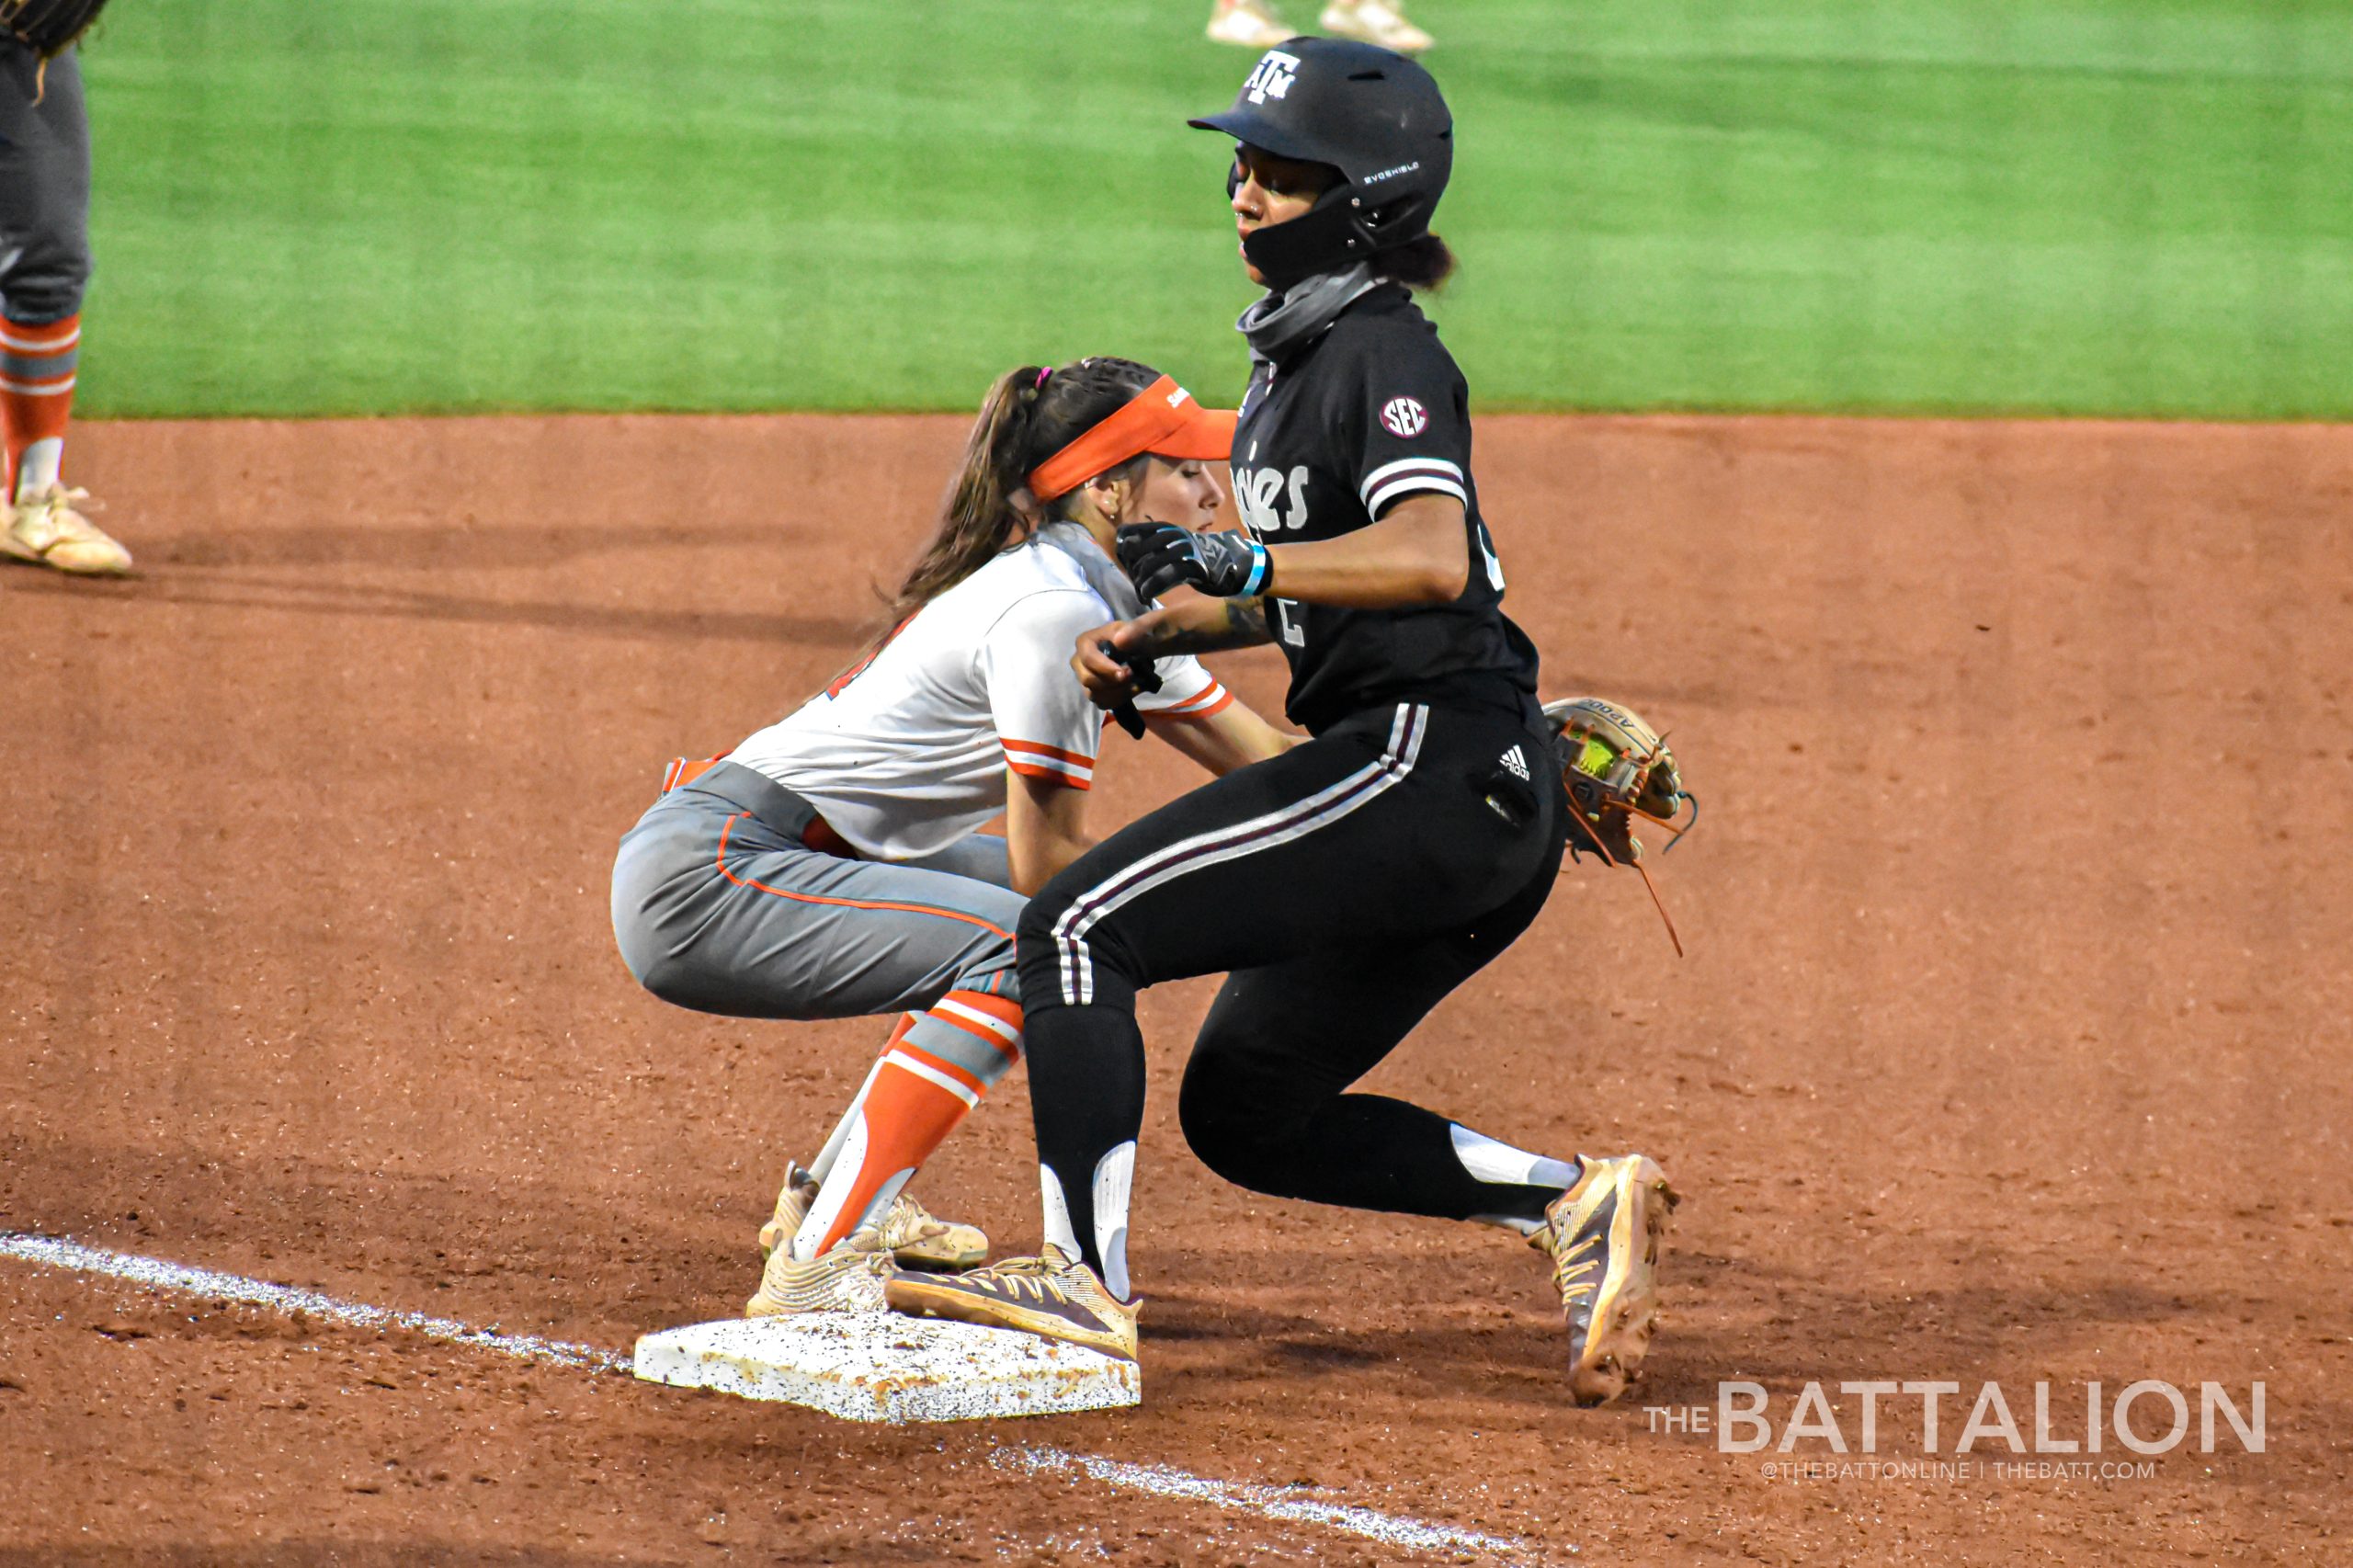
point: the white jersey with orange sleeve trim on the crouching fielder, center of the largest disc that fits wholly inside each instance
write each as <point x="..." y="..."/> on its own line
<point x="907" y="752"/>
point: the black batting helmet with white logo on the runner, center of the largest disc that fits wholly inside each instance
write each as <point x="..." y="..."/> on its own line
<point x="1373" y="117"/>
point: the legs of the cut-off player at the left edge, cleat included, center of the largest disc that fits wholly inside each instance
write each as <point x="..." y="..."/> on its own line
<point x="44" y="270"/>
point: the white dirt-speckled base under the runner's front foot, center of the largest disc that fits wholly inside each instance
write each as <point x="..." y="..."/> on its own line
<point x="879" y="1367"/>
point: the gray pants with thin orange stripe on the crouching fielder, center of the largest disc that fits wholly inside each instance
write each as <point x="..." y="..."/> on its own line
<point x="721" y="908"/>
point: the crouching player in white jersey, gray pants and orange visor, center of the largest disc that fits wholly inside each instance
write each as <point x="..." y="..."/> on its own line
<point x="832" y="863"/>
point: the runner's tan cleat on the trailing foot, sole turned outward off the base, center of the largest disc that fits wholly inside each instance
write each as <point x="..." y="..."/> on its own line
<point x="1604" y="1240"/>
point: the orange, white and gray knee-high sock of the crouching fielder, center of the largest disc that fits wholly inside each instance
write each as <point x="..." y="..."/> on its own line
<point x="933" y="1072"/>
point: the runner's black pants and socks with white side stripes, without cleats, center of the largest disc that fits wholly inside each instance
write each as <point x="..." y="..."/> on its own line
<point x="1347" y="886"/>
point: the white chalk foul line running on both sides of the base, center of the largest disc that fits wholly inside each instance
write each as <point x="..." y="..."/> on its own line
<point x="1156" y="1480"/>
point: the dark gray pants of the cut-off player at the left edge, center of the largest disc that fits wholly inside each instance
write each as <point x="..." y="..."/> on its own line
<point x="44" y="190"/>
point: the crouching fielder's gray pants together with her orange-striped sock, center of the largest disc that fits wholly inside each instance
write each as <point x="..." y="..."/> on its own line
<point x="719" y="908"/>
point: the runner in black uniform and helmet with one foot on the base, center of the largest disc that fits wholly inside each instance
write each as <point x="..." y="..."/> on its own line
<point x="1357" y="879"/>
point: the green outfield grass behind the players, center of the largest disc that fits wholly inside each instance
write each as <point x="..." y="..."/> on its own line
<point x="1957" y="206"/>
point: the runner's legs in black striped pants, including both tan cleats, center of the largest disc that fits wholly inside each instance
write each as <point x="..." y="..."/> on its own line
<point x="1387" y="886"/>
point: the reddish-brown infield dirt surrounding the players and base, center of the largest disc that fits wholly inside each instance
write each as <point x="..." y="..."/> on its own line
<point x="2011" y="1042"/>
